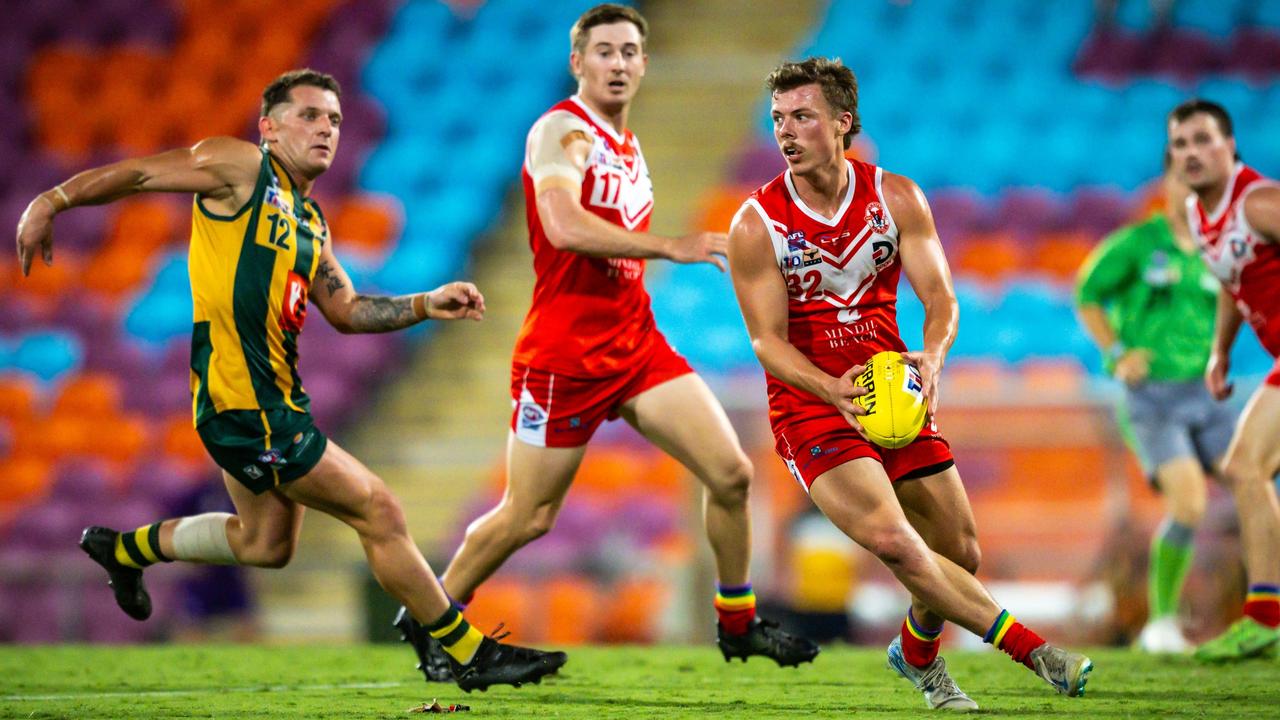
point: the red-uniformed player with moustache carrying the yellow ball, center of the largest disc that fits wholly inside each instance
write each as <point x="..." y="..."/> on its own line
<point x="816" y="258"/>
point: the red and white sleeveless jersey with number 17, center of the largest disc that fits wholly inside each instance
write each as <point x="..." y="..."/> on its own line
<point x="591" y="316"/>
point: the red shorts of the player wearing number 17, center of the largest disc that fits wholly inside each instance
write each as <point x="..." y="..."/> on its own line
<point x="557" y="411"/>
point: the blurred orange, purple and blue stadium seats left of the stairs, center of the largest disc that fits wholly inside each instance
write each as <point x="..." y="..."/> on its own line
<point x="102" y="340"/>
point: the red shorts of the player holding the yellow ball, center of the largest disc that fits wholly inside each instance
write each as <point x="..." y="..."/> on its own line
<point x="817" y="445"/>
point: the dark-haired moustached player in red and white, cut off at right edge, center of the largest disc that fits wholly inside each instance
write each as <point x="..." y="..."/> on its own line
<point x="1235" y="216"/>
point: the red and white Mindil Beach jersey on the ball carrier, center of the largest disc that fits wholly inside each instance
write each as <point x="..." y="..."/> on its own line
<point x="842" y="277"/>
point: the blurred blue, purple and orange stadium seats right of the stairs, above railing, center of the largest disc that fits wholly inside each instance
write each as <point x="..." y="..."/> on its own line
<point x="1062" y="151"/>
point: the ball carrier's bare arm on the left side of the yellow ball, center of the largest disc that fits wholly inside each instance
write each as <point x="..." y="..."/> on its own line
<point x="762" y="295"/>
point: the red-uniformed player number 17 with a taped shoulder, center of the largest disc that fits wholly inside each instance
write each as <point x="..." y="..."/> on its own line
<point x="589" y="350"/>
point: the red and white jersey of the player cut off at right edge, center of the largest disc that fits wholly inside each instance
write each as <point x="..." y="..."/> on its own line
<point x="1247" y="265"/>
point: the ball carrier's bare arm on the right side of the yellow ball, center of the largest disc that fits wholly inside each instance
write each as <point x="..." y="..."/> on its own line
<point x="926" y="267"/>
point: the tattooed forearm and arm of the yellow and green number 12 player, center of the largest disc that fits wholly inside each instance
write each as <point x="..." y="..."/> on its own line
<point x="351" y="312"/>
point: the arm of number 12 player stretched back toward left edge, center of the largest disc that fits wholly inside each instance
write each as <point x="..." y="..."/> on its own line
<point x="222" y="170"/>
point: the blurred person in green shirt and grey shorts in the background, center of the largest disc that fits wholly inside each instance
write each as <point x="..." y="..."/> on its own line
<point x="1148" y="302"/>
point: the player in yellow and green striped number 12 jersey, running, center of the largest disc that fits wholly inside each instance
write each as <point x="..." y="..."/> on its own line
<point x="260" y="249"/>
